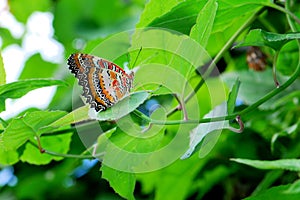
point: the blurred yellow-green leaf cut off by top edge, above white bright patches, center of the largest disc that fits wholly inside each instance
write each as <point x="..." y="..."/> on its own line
<point x="22" y="9"/>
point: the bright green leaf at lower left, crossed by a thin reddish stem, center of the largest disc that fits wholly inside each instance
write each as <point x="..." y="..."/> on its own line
<point x="56" y="143"/>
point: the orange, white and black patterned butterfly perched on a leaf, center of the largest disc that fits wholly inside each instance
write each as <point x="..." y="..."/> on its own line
<point x="104" y="83"/>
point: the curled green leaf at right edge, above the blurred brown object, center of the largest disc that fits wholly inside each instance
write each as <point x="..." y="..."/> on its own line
<point x="260" y="37"/>
